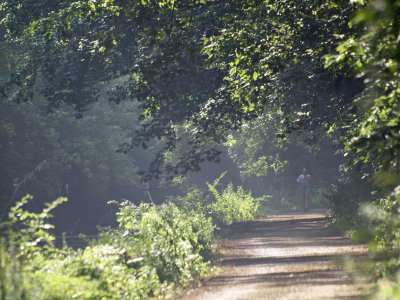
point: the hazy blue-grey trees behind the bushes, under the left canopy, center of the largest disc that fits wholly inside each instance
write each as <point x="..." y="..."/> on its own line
<point x="52" y="155"/>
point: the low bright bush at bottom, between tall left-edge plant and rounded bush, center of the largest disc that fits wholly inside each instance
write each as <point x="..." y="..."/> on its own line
<point x="97" y="272"/>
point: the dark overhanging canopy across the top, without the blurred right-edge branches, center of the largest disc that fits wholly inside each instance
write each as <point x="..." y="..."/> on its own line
<point x="210" y="63"/>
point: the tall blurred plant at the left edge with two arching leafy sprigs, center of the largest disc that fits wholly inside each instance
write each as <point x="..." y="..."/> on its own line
<point x="26" y="240"/>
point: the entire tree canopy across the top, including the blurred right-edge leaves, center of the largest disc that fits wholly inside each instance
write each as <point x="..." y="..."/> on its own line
<point x="215" y="65"/>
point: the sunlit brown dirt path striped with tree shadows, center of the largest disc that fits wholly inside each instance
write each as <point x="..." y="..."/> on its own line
<point x="288" y="256"/>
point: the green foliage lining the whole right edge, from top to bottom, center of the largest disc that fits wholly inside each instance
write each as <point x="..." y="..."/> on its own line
<point x="372" y="141"/>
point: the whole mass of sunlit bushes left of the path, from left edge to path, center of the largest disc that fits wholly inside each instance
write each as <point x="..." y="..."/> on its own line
<point x="154" y="249"/>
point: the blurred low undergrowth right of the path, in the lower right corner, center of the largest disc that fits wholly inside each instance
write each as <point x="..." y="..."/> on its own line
<point x="370" y="217"/>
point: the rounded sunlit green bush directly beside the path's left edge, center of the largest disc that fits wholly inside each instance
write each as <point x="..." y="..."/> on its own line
<point x="166" y="238"/>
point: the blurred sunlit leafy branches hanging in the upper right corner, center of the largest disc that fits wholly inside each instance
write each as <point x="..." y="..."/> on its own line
<point x="374" y="55"/>
